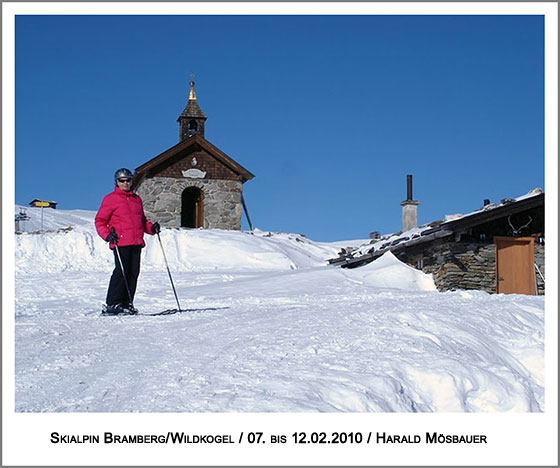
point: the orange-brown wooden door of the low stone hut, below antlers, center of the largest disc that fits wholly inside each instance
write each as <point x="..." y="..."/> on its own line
<point x="515" y="270"/>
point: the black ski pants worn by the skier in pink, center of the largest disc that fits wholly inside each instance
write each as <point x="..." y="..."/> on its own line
<point x="117" y="293"/>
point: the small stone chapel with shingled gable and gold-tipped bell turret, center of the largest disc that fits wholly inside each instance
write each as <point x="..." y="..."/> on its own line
<point x="193" y="184"/>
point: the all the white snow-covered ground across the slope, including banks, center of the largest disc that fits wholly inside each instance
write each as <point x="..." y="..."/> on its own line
<point x="271" y="327"/>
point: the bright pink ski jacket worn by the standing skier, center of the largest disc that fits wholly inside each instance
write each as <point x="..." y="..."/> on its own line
<point x="123" y="211"/>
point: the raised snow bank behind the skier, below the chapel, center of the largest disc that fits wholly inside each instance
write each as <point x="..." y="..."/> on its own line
<point x="69" y="241"/>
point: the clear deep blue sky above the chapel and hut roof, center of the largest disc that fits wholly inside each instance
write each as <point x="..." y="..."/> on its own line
<point x="329" y="112"/>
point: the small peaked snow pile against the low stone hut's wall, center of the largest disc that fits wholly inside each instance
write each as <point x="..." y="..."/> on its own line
<point x="389" y="272"/>
